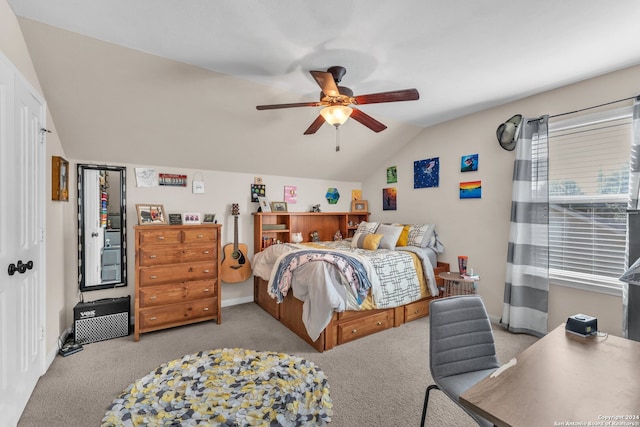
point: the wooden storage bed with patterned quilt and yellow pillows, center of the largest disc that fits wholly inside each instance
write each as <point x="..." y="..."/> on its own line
<point x="332" y="292"/>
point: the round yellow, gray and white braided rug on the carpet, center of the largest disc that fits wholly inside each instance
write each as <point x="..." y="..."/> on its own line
<point x="228" y="387"/>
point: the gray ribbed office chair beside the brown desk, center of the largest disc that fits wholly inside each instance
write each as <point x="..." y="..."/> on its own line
<point x="461" y="348"/>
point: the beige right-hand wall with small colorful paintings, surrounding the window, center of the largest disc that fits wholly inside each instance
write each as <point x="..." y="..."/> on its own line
<point x="479" y="228"/>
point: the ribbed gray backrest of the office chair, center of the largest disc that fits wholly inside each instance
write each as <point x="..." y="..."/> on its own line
<point x="460" y="338"/>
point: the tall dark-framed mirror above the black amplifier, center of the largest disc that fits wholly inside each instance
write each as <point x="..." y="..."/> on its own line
<point x="102" y="243"/>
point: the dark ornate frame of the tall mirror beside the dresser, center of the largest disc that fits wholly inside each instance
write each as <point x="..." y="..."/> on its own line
<point x="123" y="226"/>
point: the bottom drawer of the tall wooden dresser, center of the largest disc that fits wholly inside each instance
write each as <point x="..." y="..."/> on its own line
<point x="176" y="314"/>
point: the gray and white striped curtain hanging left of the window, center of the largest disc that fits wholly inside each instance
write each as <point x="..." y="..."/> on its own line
<point x="527" y="281"/>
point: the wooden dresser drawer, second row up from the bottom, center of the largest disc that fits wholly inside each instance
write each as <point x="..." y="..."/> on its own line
<point x="175" y="293"/>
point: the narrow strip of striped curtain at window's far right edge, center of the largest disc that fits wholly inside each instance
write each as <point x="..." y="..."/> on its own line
<point x="634" y="189"/>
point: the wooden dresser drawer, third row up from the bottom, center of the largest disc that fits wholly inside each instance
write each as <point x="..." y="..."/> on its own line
<point x="174" y="273"/>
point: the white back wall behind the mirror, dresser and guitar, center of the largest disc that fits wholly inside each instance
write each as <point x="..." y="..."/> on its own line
<point x="221" y="190"/>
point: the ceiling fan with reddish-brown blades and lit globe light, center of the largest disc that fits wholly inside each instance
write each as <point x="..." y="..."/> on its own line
<point x="337" y="100"/>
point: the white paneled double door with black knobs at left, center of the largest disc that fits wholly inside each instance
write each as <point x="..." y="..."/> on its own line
<point x="22" y="212"/>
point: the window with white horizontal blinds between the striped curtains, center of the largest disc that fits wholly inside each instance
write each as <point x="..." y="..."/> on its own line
<point x="588" y="196"/>
